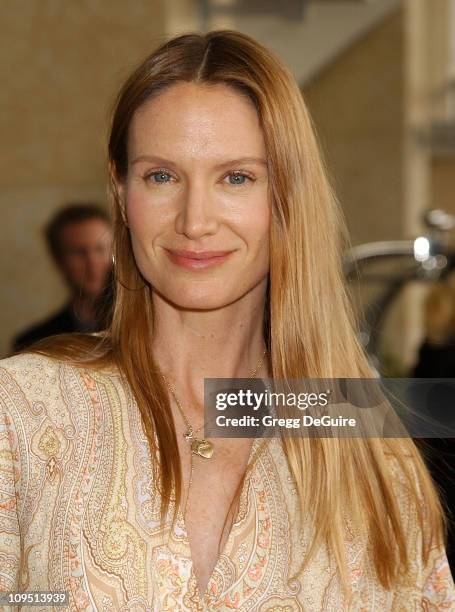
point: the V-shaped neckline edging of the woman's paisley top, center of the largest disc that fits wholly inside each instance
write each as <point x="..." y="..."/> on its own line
<point x="203" y="597"/>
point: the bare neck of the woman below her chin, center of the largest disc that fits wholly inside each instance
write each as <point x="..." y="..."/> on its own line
<point x="228" y="342"/>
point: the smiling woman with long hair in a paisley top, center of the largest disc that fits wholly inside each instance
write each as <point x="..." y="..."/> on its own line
<point x="228" y="244"/>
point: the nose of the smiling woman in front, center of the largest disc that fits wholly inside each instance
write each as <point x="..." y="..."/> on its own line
<point x="197" y="215"/>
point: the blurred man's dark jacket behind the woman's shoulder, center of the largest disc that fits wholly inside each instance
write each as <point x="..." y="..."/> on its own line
<point x="63" y="321"/>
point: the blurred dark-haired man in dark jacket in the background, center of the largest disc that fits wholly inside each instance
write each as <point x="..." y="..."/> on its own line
<point x="79" y="238"/>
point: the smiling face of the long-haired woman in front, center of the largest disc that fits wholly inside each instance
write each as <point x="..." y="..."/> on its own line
<point x="196" y="195"/>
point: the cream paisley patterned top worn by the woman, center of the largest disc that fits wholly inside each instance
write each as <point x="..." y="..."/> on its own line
<point x="79" y="512"/>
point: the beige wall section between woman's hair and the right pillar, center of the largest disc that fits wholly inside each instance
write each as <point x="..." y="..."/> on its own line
<point x="357" y="105"/>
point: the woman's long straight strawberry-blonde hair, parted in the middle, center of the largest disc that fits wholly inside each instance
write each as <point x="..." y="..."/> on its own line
<point x="310" y="327"/>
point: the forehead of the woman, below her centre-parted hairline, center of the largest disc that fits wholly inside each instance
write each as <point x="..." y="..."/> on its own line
<point x="199" y="120"/>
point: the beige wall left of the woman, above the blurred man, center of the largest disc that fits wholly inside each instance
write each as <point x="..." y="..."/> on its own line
<point x="62" y="65"/>
